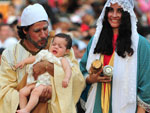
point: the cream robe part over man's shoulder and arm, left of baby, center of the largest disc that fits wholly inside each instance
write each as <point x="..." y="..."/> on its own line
<point x="9" y="78"/>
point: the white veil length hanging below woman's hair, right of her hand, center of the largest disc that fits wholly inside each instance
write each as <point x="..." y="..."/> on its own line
<point x="125" y="75"/>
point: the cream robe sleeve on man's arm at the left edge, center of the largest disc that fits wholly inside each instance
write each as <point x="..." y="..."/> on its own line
<point x="9" y="96"/>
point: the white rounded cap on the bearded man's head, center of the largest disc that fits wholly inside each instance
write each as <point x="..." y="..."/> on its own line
<point x="32" y="14"/>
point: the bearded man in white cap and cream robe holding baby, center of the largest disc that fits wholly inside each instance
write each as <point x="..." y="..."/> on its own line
<point x="33" y="33"/>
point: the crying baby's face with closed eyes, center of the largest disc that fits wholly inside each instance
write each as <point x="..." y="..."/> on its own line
<point x="58" y="47"/>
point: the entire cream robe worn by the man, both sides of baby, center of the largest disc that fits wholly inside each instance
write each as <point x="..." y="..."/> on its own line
<point x="63" y="99"/>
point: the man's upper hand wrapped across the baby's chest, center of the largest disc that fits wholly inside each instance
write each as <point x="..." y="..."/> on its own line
<point x="42" y="67"/>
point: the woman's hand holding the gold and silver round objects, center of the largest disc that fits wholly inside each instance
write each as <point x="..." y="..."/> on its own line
<point x="93" y="78"/>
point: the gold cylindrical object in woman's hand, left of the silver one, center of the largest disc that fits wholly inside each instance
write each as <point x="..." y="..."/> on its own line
<point x="95" y="66"/>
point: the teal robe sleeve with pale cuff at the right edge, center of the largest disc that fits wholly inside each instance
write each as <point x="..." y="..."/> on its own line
<point x="143" y="74"/>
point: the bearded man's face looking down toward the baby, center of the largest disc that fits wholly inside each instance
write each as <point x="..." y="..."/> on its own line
<point x="38" y="33"/>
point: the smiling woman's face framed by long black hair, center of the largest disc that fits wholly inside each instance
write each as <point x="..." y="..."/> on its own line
<point x="114" y="16"/>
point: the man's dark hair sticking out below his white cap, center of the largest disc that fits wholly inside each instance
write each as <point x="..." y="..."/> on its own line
<point x="20" y="31"/>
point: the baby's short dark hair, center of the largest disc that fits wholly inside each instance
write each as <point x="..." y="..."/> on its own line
<point x="67" y="38"/>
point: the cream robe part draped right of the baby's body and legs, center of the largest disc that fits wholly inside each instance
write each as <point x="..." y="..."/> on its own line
<point x="65" y="99"/>
